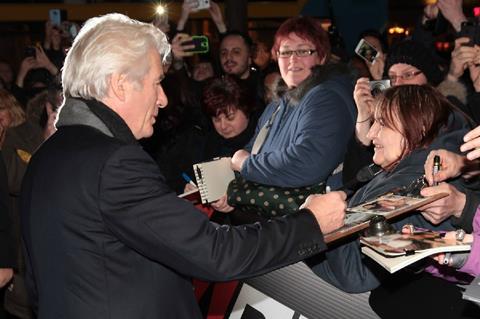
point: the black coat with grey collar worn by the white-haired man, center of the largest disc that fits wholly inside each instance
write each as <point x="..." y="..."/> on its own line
<point x="106" y="238"/>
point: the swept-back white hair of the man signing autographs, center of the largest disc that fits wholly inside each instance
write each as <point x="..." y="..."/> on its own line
<point x="109" y="44"/>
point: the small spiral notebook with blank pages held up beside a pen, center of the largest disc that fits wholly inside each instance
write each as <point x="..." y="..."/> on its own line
<point x="213" y="178"/>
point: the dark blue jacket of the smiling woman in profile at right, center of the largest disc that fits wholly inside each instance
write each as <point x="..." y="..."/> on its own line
<point x="345" y="266"/>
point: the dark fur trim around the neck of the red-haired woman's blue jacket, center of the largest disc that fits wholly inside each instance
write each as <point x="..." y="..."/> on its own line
<point x="320" y="73"/>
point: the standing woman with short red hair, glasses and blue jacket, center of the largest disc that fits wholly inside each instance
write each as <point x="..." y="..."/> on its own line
<point x="314" y="113"/>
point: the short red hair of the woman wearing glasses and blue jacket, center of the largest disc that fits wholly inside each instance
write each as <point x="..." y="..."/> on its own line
<point x="307" y="28"/>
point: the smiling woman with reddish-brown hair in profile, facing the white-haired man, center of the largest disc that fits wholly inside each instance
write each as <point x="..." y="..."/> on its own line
<point x="408" y="122"/>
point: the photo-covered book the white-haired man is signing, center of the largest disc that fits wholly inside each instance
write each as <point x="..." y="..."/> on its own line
<point x="389" y="205"/>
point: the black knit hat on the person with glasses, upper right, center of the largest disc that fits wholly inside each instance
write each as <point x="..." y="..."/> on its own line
<point x="415" y="54"/>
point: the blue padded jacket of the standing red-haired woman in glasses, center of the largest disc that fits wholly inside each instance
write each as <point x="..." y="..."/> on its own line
<point x="310" y="133"/>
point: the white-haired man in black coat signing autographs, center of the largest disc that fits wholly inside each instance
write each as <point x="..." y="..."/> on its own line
<point x="104" y="236"/>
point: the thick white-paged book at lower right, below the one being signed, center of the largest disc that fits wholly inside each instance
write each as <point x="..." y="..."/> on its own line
<point x="395" y="251"/>
